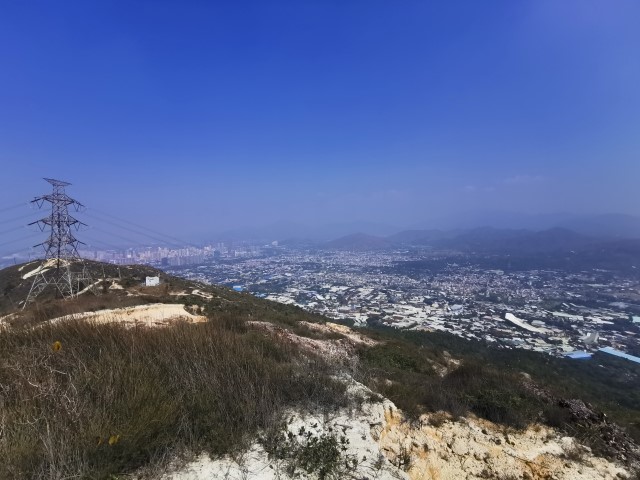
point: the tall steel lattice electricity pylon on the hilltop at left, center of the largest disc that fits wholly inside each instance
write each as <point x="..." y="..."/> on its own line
<point x="61" y="248"/>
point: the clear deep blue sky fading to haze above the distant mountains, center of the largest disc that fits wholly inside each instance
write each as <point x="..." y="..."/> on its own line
<point x="210" y="115"/>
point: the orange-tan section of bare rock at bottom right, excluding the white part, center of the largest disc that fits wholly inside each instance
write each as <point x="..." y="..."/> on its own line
<point x="471" y="448"/>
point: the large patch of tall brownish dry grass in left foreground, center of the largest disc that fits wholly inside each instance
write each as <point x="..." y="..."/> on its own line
<point x="112" y="399"/>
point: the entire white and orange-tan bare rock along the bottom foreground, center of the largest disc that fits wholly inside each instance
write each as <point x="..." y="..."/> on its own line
<point x="434" y="448"/>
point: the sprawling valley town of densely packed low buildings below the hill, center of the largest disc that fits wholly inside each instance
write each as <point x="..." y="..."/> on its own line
<point x="543" y="310"/>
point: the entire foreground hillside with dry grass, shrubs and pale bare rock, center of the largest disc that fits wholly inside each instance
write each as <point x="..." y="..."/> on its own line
<point x="186" y="380"/>
